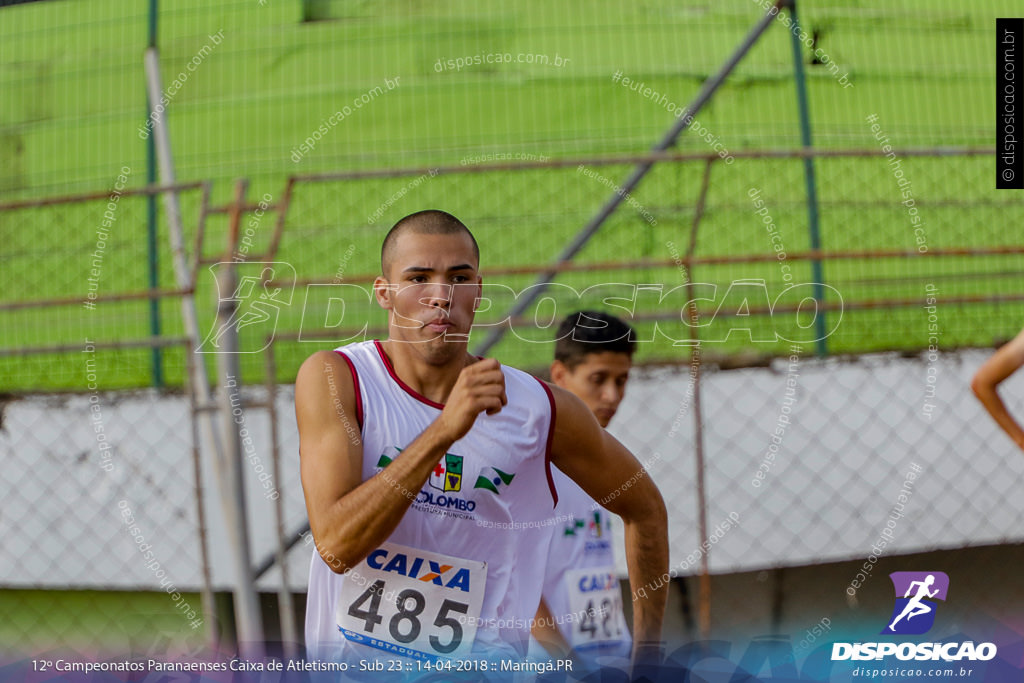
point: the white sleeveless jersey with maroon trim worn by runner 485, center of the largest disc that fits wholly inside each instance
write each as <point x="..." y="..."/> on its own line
<point x="462" y="574"/>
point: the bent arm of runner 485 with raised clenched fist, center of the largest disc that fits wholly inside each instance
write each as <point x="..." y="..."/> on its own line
<point x="349" y="518"/>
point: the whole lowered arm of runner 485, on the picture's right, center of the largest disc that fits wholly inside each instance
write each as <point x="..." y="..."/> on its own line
<point x="616" y="480"/>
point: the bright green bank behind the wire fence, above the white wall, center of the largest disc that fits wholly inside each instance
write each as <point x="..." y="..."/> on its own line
<point x="72" y="77"/>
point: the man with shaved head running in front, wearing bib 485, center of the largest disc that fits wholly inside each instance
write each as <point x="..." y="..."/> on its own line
<point x="421" y="464"/>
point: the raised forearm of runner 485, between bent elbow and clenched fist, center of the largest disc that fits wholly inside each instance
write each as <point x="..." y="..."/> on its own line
<point x="366" y="517"/>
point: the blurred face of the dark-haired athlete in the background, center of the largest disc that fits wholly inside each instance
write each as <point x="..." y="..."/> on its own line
<point x="600" y="381"/>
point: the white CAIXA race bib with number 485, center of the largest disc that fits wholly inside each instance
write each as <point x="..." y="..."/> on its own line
<point x="413" y="603"/>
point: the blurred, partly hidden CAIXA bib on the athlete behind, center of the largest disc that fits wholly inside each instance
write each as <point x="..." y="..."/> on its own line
<point x="596" y="605"/>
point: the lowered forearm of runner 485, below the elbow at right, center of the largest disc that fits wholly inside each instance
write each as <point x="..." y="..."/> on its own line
<point x="648" y="560"/>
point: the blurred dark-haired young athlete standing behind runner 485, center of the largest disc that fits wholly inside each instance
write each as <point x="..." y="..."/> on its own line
<point x="582" y="610"/>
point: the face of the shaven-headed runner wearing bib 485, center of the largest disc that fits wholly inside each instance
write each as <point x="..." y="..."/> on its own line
<point x="432" y="289"/>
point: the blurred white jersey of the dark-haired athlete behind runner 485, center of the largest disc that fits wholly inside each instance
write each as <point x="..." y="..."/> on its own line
<point x="581" y="585"/>
